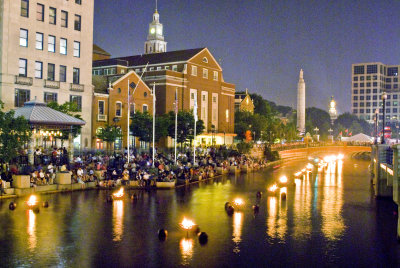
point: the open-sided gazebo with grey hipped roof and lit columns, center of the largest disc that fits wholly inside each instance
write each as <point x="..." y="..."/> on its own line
<point x="46" y="122"/>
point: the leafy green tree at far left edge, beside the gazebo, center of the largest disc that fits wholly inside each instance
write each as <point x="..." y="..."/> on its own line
<point x="14" y="133"/>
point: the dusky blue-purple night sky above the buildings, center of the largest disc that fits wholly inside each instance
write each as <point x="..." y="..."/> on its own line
<point x="263" y="44"/>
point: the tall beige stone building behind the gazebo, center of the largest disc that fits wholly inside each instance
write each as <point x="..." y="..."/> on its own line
<point x="46" y="53"/>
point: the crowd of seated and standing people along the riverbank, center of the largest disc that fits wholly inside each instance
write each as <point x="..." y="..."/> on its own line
<point x="115" y="170"/>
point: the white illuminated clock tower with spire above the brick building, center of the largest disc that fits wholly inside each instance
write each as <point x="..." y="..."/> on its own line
<point x="155" y="39"/>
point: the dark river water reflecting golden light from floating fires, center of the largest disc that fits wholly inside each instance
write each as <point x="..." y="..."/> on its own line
<point x="328" y="219"/>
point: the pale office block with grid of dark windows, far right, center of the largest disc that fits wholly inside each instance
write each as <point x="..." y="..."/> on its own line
<point x="369" y="81"/>
